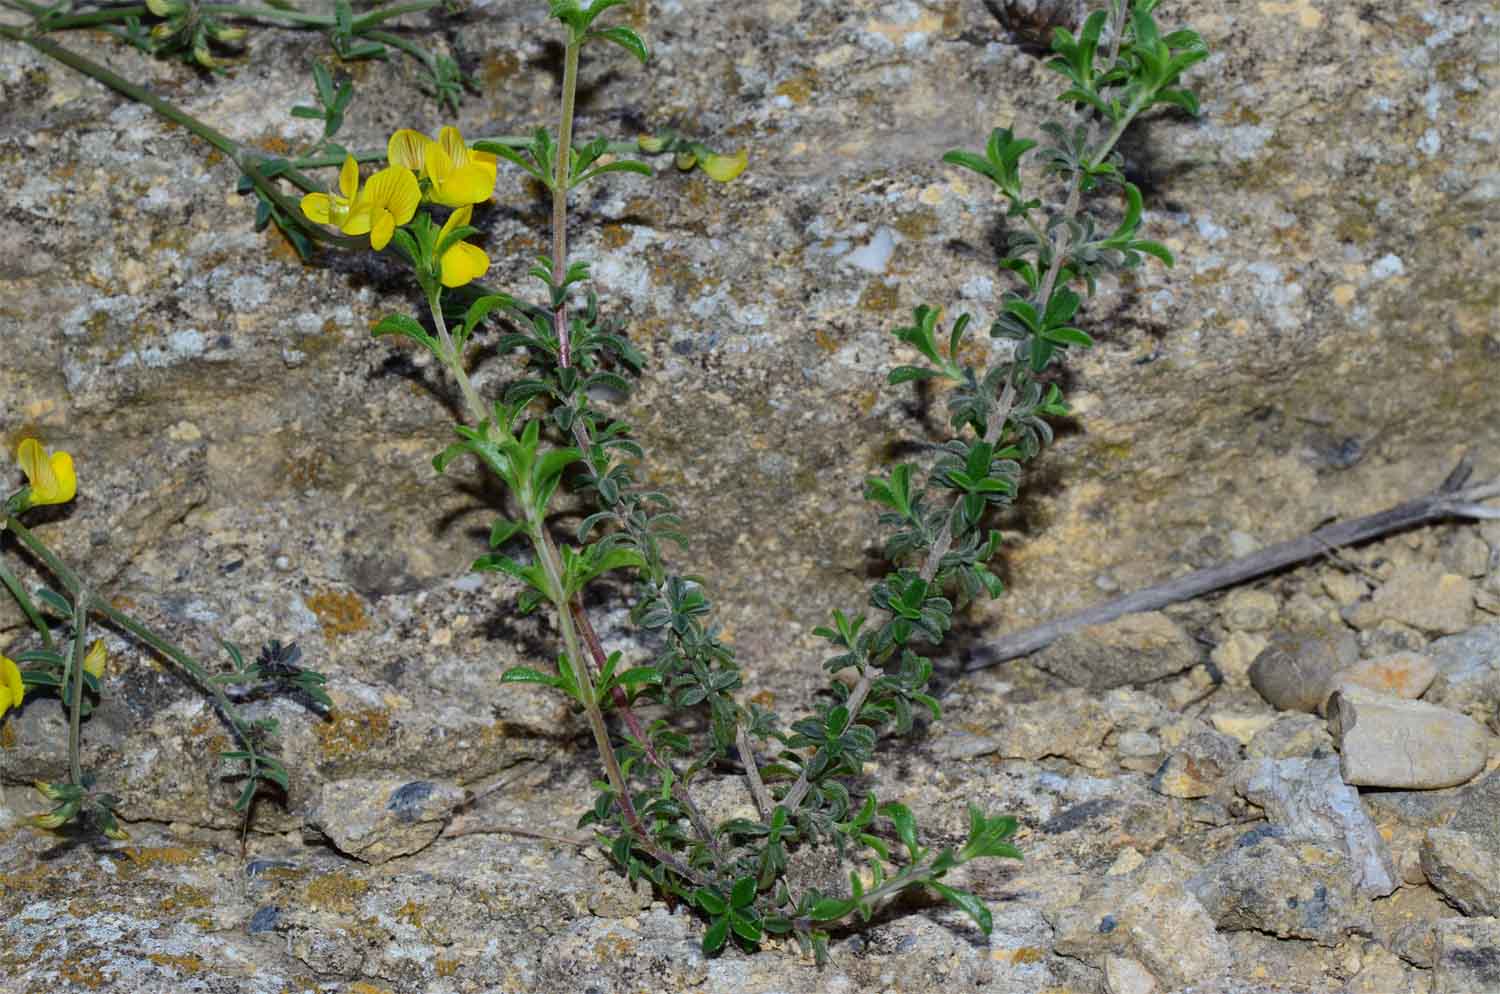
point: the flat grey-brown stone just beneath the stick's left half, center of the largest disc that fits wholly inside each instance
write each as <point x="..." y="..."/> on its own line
<point x="1132" y="650"/>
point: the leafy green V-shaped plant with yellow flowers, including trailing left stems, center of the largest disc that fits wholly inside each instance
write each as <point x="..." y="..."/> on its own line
<point x="1072" y="217"/>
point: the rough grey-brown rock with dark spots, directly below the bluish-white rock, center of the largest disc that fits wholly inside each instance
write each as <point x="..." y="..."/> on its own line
<point x="1288" y="888"/>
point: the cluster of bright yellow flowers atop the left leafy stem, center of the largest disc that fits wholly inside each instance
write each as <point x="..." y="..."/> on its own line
<point x="422" y="172"/>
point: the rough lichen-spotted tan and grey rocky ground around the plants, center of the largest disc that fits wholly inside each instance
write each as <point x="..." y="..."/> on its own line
<point x="1289" y="786"/>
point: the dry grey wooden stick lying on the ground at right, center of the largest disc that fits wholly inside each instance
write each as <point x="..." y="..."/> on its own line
<point x="1448" y="501"/>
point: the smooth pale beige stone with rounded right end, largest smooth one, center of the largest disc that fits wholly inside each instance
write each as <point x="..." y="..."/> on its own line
<point x="1405" y="744"/>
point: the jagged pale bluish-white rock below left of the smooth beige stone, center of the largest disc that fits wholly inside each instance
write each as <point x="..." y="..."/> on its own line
<point x="1309" y="800"/>
